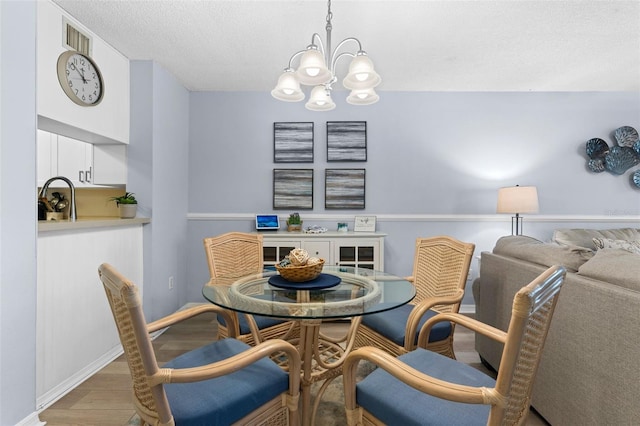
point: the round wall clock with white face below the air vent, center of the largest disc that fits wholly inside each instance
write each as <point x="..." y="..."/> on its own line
<point x="80" y="78"/>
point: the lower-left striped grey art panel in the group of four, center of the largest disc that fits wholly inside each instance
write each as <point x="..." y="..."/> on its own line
<point x="293" y="188"/>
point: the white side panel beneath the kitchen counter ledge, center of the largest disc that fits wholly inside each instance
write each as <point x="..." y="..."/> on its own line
<point x="75" y="332"/>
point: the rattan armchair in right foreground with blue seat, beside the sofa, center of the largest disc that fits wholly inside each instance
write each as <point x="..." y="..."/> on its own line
<point x="423" y="387"/>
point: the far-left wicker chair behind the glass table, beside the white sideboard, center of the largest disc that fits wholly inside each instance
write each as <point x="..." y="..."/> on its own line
<point x="231" y="256"/>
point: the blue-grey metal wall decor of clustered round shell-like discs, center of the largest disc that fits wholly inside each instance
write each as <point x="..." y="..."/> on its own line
<point x="618" y="158"/>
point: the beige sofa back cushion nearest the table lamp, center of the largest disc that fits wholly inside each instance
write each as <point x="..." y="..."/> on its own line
<point x="546" y="254"/>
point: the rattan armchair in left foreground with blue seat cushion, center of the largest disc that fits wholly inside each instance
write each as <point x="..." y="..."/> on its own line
<point x="225" y="382"/>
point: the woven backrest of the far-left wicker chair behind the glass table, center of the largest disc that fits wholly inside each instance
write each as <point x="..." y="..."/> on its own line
<point x="234" y="254"/>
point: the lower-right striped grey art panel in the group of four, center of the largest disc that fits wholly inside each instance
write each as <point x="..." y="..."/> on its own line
<point x="344" y="188"/>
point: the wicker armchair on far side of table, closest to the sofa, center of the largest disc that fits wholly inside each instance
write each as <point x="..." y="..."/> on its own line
<point x="440" y="270"/>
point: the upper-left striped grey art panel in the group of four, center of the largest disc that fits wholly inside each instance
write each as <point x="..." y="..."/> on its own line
<point x="293" y="142"/>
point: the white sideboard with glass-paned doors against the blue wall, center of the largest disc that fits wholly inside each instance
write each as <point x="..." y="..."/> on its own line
<point x="359" y="249"/>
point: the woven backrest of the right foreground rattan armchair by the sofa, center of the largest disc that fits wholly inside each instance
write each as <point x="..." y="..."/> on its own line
<point x="533" y="308"/>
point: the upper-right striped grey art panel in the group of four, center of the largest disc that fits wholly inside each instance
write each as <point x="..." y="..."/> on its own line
<point x="346" y="141"/>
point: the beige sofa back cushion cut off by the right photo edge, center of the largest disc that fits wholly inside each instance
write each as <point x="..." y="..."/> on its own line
<point x="614" y="266"/>
